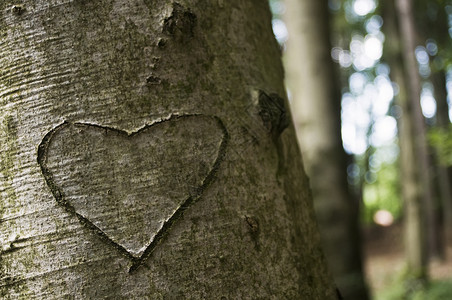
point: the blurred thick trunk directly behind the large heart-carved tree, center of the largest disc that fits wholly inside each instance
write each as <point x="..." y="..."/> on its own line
<point x="316" y="108"/>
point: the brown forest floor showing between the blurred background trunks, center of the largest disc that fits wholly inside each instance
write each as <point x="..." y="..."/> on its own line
<point x="384" y="258"/>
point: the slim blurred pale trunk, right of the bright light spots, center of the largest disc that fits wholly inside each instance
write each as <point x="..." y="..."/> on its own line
<point x="413" y="154"/>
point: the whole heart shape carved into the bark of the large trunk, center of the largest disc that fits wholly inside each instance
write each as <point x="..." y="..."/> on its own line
<point x="130" y="188"/>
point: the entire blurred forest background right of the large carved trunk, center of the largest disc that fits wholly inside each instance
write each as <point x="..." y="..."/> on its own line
<point x="369" y="82"/>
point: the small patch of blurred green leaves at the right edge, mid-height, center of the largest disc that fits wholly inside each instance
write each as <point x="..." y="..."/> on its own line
<point x="441" y="140"/>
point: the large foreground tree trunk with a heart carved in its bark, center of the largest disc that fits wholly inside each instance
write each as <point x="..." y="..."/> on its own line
<point x="146" y="153"/>
